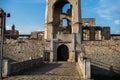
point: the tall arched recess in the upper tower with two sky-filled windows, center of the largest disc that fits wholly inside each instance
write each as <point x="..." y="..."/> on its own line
<point x="62" y="14"/>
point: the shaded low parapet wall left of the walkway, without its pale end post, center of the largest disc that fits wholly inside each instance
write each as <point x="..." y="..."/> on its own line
<point x="25" y="65"/>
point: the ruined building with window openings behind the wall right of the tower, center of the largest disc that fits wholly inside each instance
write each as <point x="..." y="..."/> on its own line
<point x="92" y="32"/>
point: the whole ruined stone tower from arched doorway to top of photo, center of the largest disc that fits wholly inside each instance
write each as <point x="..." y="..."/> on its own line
<point x="65" y="40"/>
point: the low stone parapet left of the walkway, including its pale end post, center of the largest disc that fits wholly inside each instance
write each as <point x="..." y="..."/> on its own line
<point x="13" y="68"/>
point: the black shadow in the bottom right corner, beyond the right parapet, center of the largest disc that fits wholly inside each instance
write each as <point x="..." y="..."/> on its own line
<point x="103" y="74"/>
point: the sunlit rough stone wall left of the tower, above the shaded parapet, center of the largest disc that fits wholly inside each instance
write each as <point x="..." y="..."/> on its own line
<point x="23" y="49"/>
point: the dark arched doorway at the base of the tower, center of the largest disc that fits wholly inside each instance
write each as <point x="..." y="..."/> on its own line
<point x="62" y="53"/>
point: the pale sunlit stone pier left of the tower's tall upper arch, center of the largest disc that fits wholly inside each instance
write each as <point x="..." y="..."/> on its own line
<point x="48" y="20"/>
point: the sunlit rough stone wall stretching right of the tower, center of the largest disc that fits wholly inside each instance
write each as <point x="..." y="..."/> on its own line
<point x="103" y="54"/>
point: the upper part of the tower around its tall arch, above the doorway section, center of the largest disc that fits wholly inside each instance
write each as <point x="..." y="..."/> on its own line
<point x="55" y="15"/>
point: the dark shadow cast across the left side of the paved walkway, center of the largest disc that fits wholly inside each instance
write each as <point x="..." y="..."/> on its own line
<point x="39" y="70"/>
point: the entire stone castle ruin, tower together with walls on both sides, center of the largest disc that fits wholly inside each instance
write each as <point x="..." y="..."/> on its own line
<point x="92" y="47"/>
